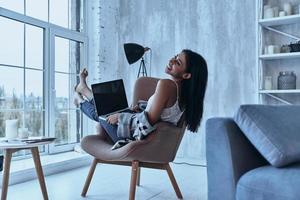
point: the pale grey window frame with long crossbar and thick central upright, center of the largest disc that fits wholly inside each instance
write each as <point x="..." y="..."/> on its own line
<point x="49" y="32"/>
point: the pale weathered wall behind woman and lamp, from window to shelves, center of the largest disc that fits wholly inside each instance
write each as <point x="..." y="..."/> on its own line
<point x="224" y="32"/>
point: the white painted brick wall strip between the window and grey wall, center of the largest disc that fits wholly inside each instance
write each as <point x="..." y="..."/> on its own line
<point x="103" y="32"/>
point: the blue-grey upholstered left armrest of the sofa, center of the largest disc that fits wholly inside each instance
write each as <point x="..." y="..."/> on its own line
<point x="229" y="155"/>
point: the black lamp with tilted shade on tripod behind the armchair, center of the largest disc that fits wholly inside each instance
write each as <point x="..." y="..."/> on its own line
<point x="133" y="53"/>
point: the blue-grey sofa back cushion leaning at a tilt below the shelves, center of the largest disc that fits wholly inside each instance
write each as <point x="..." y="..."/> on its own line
<point x="273" y="130"/>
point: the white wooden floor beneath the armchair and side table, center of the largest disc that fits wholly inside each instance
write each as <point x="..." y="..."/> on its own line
<point x="112" y="182"/>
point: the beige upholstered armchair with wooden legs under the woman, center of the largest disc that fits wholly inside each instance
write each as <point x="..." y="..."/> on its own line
<point x="156" y="151"/>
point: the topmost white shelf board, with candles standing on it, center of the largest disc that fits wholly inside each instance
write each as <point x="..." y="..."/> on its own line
<point x="277" y="21"/>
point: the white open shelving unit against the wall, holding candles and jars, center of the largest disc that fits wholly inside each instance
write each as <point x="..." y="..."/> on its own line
<point x="267" y="62"/>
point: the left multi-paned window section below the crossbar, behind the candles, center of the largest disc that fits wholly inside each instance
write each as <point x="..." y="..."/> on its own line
<point x="22" y="76"/>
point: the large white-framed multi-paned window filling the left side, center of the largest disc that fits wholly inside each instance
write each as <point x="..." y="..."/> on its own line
<point x="44" y="48"/>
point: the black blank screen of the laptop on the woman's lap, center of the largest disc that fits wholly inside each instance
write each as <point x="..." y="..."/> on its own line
<point x="109" y="97"/>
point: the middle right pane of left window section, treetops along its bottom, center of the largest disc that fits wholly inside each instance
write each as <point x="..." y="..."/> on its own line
<point x="34" y="89"/>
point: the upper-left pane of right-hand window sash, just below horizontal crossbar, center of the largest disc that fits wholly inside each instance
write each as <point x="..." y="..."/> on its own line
<point x="62" y="54"/>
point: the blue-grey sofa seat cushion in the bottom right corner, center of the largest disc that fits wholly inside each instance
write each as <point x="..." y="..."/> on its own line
<point x="269" y="182"/>
